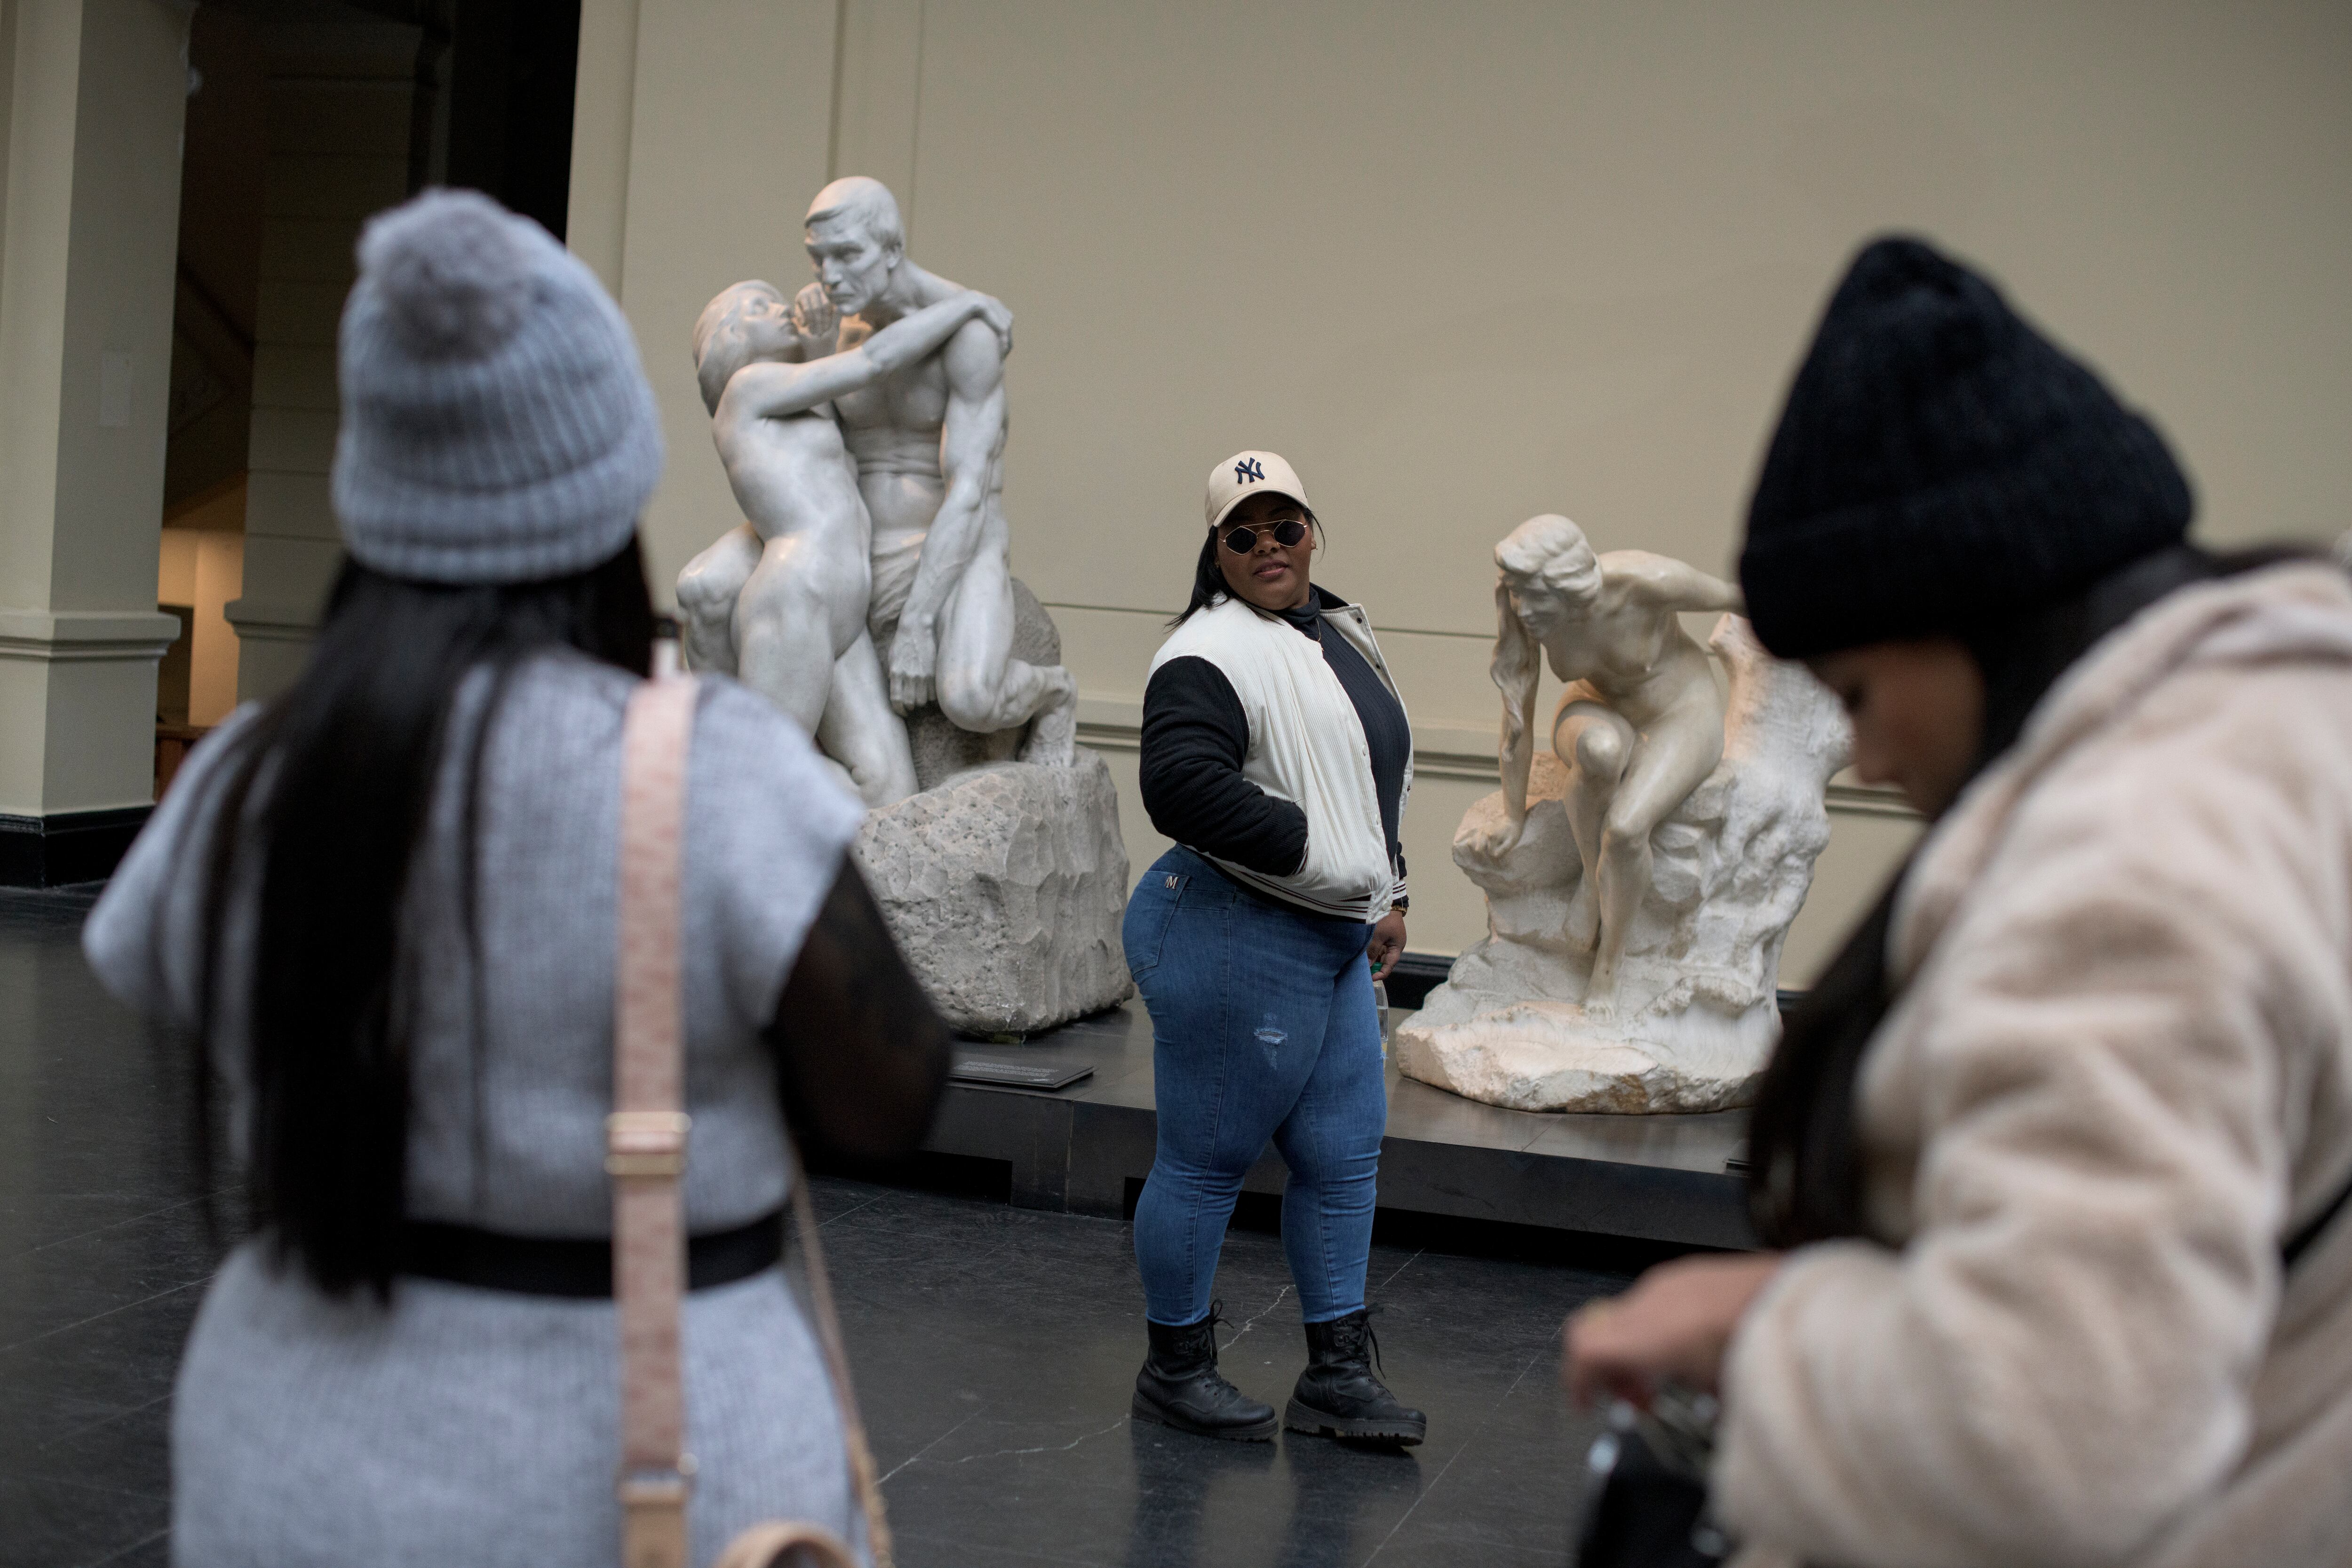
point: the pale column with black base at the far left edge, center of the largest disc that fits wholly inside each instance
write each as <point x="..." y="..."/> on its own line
<point x="93" y="95"/>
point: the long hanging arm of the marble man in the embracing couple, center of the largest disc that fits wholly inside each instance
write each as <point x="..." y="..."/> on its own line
<point x="970" y="443"/>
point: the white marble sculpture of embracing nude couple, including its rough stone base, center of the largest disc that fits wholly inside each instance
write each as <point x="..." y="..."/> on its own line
<point x="869" y="594"/>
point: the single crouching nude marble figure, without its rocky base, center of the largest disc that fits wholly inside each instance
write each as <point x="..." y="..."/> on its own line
<point x="1641" y="725"/>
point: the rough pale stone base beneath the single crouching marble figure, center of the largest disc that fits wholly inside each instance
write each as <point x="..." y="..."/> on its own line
<point x="1697" y="993"/>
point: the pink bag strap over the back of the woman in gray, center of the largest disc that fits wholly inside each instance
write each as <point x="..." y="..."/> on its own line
<point x="646" y="1151"/>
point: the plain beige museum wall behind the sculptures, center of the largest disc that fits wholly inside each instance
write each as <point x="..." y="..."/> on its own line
<point x="1476" y="262"/>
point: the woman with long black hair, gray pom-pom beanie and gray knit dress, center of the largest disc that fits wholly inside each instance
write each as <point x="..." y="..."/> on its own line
<point x="385" y="909"/>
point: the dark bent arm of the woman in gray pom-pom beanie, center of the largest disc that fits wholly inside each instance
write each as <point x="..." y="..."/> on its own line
<point x="860" y="1052"/>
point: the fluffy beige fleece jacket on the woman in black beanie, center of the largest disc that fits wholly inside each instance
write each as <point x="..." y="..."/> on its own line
<point x="2120" y="1076"/>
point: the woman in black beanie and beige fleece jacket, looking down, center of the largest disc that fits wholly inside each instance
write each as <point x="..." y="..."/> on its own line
<point x="2059" y="1146"/>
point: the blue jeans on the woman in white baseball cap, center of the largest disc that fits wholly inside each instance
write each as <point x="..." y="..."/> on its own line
<point x="1264" y="1028"/>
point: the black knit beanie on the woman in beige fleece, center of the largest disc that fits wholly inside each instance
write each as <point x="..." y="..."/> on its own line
<point x="1942" y="467"/>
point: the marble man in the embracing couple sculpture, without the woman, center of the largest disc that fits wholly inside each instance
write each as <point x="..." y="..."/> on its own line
<point x="928" y="445"/>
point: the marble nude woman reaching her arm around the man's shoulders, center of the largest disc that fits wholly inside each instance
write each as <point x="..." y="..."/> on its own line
<point x="782" y="598"/>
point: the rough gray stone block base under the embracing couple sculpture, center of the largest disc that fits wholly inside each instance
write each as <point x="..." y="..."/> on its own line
<point x="1005" y="880"/>
